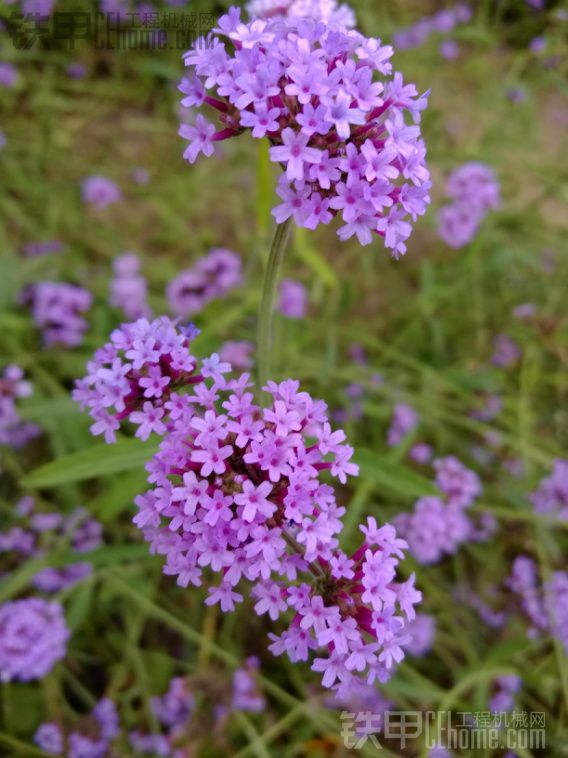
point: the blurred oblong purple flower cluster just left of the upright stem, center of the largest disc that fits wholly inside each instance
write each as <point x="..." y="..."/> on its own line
<point x="213" y="276"/>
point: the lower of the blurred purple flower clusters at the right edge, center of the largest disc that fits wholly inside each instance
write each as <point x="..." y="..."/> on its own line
<point x="545" y="605"/>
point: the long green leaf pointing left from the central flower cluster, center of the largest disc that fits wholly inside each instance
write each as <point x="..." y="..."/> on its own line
<point x="97" y="461"/>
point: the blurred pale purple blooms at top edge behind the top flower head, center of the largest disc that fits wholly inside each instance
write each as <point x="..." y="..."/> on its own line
<point x="327" y="11"/>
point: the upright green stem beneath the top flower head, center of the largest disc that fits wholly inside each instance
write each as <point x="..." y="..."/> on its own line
<point x="266" y="310"/>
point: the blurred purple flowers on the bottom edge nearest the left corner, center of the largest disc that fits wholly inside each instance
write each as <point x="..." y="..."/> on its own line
<point x="104" y="721"/>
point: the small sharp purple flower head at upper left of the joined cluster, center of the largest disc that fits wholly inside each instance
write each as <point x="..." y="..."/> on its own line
<point x="134" y="377"/>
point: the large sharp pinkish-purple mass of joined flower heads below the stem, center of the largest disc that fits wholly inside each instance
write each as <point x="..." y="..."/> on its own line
<point x="237" y="491"/>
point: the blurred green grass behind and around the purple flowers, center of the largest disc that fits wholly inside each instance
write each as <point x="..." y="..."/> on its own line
<point x="427" y="324"/>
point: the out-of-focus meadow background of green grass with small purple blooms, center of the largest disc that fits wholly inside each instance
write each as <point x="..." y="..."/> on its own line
<point x="460" y="348"/>
